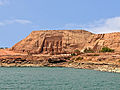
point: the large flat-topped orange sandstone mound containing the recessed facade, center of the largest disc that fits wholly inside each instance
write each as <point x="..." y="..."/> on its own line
<point x="53" y="41"/>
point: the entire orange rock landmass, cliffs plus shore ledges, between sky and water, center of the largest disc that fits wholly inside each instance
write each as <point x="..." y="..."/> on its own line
<point x="41" y="48"/>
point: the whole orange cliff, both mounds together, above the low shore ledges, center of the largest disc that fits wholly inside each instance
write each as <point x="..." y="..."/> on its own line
<point x="62" y="41"/>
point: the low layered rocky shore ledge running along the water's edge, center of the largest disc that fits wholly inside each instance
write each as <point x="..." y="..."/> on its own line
<point x="109" y="62"/>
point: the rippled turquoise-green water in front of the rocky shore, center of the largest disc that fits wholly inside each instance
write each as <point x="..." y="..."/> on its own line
<point x="30" y="78"/>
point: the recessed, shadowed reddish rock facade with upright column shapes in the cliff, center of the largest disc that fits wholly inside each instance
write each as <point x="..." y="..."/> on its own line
<point x="52" y="45"/>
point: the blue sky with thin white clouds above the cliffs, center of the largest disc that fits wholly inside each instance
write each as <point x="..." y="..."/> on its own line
<point x="19" y="17"/>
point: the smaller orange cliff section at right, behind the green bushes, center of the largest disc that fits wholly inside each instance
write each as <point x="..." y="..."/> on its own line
<point x="98" y="41"/>
